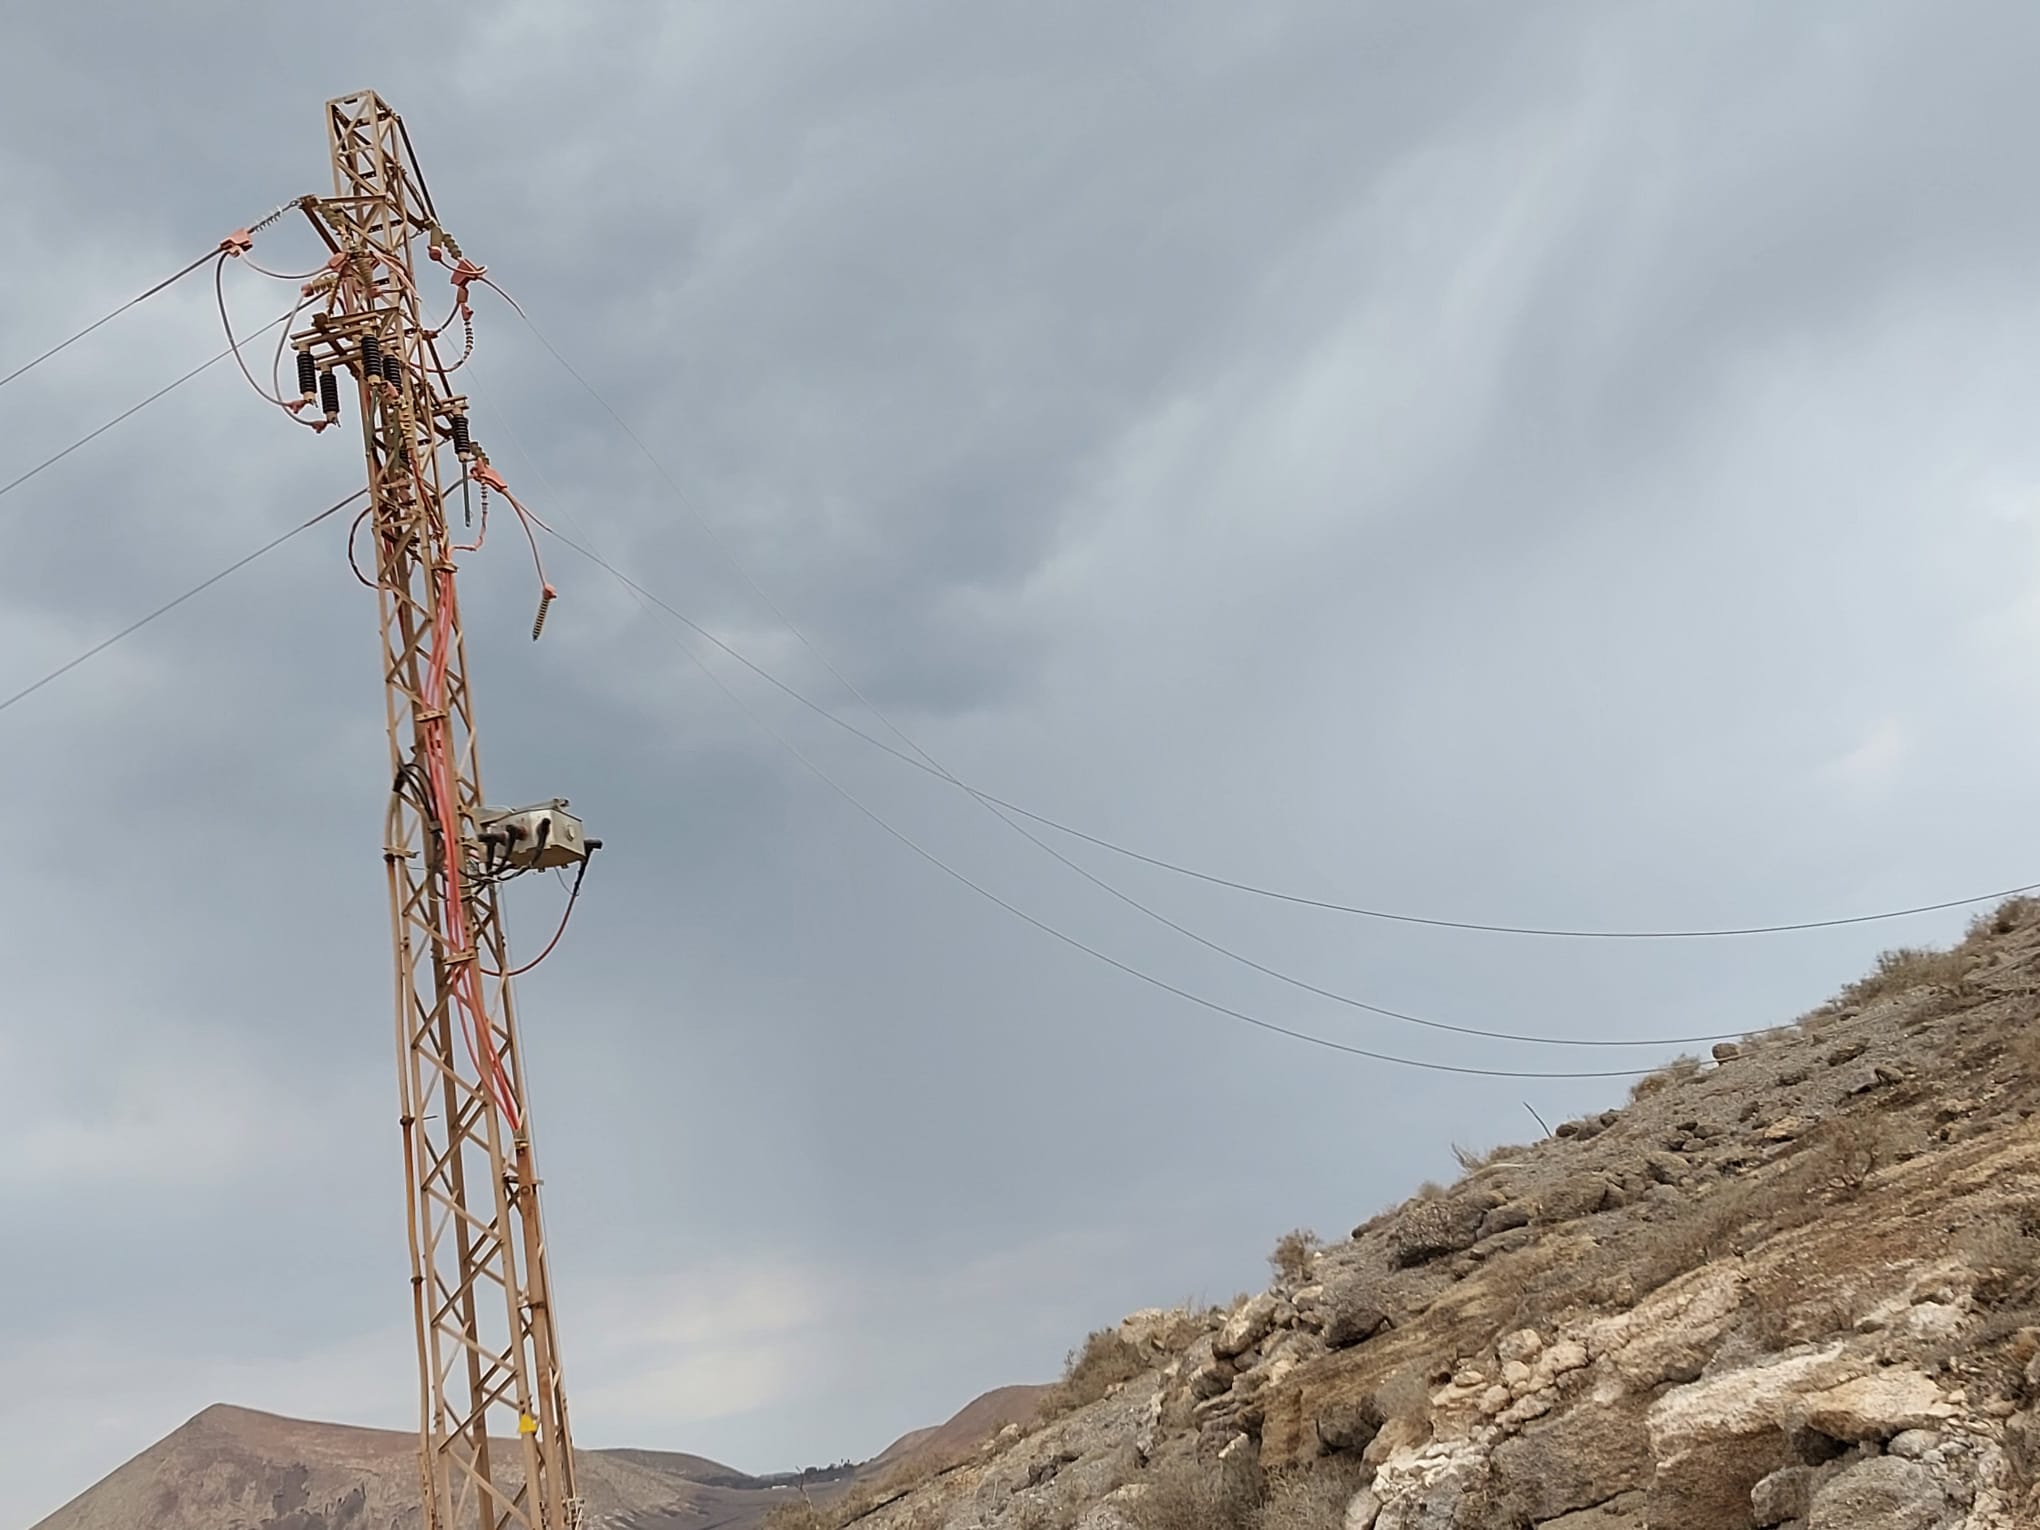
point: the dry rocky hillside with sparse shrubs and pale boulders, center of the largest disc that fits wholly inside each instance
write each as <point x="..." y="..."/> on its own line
<point x="1796" y="1284"/>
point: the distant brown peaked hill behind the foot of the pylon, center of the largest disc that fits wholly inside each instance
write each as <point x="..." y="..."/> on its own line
<point x="238" y="1470"/>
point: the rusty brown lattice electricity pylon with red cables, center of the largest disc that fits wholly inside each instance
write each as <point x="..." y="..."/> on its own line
<point x="480" y="1282"/>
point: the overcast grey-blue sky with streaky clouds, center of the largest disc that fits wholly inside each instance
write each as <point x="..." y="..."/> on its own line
<point x="1562" y="466"/>
